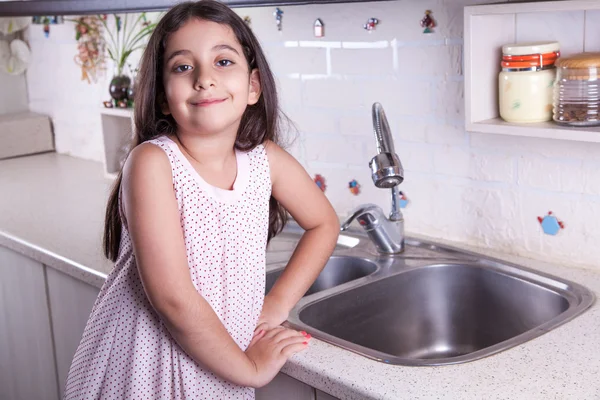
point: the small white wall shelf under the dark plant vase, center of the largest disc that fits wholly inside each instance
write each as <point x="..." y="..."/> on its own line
<point x="117" y="130"/>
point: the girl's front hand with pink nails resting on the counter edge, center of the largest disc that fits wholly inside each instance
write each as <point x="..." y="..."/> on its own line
<point x="269" y="350"/>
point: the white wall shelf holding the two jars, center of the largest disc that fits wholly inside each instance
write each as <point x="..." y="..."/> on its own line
<point x="575" y="24"/>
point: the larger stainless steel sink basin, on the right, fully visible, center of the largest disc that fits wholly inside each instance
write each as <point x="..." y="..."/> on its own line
<point x="442" y="314"/>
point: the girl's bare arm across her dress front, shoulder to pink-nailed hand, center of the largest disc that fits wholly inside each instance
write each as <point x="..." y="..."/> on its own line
<point x="154" y="225"/>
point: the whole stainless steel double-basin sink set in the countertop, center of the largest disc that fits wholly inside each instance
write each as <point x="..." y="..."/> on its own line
<point x="430" y="305"/>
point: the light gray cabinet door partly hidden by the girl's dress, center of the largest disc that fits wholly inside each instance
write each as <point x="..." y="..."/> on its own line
<point x="71" y="302"/>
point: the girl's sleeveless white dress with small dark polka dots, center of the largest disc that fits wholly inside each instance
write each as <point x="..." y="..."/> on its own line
<point x="126" y="351"/>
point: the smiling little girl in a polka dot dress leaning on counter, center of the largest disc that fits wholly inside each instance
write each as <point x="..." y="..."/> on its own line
<point x="183" y="314"/>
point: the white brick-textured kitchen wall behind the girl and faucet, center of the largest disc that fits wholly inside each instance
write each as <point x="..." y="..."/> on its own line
<point x="481" y="189"/>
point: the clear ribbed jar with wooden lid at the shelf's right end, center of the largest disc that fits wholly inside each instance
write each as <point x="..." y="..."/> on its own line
<point x="576" y="92"/>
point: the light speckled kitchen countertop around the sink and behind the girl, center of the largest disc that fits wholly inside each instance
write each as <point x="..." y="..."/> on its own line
<point x="52" y="209"/>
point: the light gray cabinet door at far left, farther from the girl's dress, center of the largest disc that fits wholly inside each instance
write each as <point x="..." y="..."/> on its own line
<point x="27" y="367"/>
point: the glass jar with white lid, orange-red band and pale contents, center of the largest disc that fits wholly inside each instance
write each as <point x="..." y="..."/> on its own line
<point x="525" y="87"/>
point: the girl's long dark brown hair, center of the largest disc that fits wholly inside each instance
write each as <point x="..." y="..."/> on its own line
<point x="260" y="122"/>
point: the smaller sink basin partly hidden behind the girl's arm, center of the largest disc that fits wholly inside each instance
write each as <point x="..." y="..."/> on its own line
<point x="338" y="270"/>
